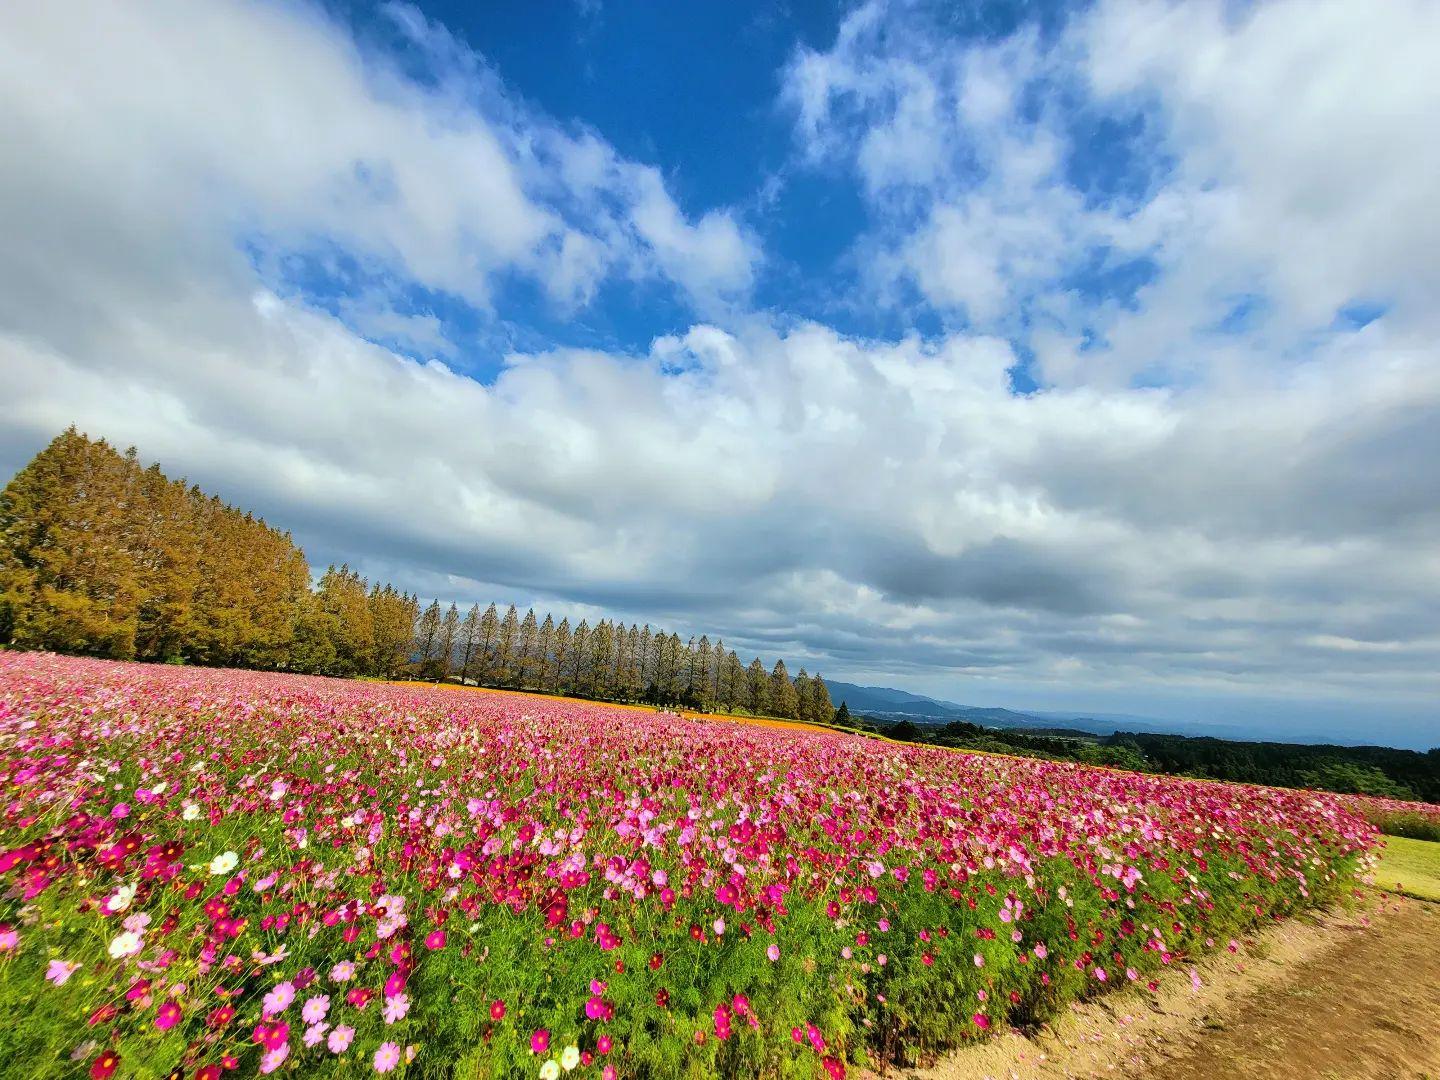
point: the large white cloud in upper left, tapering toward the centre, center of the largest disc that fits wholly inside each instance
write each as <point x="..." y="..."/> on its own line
<point x="269" y="122"/>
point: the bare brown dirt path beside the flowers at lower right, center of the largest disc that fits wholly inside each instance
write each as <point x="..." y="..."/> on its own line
<point x="1346" y="997"/>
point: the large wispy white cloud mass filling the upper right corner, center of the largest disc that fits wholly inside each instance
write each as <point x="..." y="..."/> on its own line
<point x="1284" y="153"/>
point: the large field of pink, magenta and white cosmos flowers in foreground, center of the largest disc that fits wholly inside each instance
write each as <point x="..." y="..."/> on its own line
<point x="220" y="873"/>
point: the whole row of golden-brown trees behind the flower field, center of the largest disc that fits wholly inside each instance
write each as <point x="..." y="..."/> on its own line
<point x="103" y="557"/>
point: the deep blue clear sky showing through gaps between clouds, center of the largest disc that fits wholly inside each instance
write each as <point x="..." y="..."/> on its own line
<point x="701" y="93"/>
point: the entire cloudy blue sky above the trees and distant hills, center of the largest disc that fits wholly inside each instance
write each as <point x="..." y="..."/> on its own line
<point x="1036" y="355"/>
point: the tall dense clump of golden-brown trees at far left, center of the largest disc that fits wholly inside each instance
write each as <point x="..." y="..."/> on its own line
<point x="104" y="558"/>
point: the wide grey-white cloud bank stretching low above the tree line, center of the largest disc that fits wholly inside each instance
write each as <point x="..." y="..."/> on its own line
<point x="755" y="480"/>
